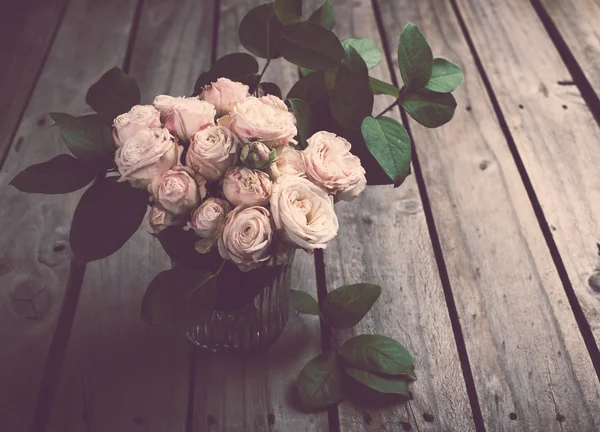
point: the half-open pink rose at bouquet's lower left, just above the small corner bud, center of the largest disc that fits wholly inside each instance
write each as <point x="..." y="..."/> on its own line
<point x="177" y="191"/>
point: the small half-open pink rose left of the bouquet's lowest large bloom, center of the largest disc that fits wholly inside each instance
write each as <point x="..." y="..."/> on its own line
<point x="207" y="222"/>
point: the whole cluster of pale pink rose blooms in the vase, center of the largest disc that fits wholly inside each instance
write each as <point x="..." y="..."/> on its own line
<point x="225" y="165"/>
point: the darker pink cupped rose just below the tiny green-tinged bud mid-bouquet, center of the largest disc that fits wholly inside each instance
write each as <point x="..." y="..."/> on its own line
<point x="243" y="186"/>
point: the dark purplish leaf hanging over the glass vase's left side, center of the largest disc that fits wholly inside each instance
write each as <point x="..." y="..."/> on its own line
<point x="179" y="298"/>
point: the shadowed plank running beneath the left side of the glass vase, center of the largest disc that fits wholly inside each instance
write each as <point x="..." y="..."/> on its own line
<point x="118" y="374"/>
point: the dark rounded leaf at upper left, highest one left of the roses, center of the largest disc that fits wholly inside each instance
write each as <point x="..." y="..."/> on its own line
<point x="113" y="94"/>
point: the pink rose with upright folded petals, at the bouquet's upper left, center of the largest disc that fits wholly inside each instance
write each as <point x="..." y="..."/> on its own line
<point x="185" y="116"/>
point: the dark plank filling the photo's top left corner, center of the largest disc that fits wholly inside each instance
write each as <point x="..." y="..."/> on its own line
<point x="27" y="27"/>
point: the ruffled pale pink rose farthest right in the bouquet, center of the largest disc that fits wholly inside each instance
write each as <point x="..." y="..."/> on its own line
<point x="329" y="164"/>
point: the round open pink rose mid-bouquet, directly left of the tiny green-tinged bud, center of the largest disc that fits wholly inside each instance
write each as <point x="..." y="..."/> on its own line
<point x="211" y="152"/>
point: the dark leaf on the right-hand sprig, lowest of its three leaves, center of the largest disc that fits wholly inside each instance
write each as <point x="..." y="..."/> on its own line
<point x="429" y="108"/>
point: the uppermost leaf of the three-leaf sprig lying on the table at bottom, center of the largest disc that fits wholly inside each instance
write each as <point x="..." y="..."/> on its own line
<point x="378" y="354"/>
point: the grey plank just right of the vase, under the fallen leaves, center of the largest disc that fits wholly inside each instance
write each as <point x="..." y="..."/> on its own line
<point x="384" y="239"/>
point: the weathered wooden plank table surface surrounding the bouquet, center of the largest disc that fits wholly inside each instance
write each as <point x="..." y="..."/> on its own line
<point x="488" y="254"/>
